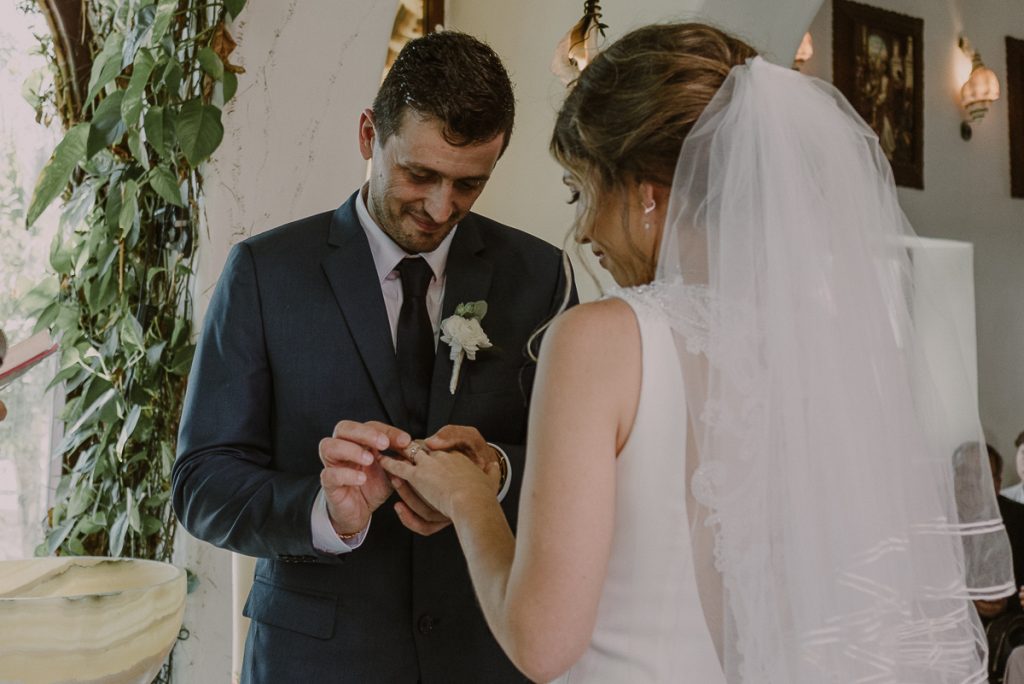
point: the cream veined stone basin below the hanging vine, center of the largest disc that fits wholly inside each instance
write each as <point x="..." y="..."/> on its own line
<point x="88" y="620"/>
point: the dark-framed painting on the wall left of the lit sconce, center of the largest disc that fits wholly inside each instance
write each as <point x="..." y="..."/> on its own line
<point x="878" y="65"/>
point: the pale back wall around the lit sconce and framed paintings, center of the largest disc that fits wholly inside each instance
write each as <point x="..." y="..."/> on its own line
<point x="967" y="188"/>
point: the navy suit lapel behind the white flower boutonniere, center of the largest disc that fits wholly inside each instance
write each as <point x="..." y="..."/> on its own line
<point x="467" y="280"/>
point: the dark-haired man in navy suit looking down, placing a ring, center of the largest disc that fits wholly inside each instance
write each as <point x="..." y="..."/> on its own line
<point x="320" y="352"/>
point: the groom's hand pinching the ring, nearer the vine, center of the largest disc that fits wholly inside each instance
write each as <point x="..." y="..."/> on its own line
<point x="355" y="485"/>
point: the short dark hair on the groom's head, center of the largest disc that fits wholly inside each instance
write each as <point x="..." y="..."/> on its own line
<point x="451" y="77"/>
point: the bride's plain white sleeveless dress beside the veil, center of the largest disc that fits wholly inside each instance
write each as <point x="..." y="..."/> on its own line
<point x="651" y="624"/>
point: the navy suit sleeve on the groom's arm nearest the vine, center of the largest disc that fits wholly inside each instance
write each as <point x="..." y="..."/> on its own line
<point x="225" y="491"/>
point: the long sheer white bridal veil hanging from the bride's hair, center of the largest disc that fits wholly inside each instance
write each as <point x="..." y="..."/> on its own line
<point x="829" y="476"/>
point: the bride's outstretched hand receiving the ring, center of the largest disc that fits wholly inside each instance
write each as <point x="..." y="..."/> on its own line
<point x="440" y="478"/>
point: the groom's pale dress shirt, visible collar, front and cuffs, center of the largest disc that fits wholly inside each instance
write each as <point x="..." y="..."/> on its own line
<point x="388" y="255"/>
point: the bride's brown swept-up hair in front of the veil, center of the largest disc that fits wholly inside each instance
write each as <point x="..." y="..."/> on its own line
<point x="626" y="117"/>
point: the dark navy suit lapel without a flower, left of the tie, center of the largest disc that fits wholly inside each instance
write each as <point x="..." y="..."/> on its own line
<point x="350" y="270"/>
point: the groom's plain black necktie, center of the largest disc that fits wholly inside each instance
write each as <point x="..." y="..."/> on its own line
<point x="415" y="347"/>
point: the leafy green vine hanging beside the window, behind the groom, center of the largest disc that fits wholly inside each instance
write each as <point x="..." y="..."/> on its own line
<point x="129" y="168"/>
